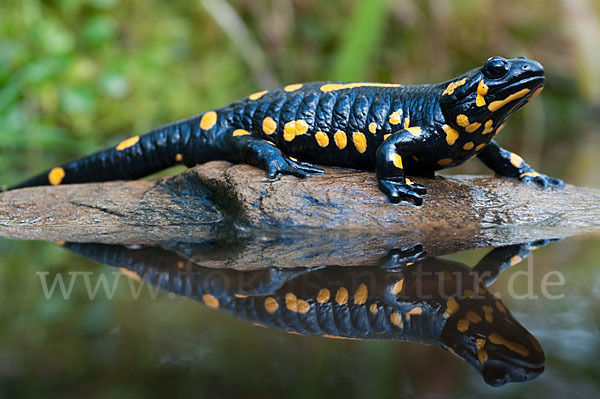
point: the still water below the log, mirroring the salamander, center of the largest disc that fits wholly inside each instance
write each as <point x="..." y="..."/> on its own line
<point x="181" y="318"/>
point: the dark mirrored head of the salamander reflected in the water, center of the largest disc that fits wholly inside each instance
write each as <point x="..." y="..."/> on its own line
<point x="484" y="333"/>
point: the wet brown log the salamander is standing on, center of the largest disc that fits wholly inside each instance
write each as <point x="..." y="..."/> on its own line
<point x="458" y="211"/>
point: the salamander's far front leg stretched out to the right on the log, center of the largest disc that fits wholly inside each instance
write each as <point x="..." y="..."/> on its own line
<point x="509" y="164"/>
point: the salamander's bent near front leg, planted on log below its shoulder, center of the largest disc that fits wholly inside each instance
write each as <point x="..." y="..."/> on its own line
<point x="390" y="169"/>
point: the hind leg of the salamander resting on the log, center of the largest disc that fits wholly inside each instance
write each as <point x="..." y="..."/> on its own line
<point x="242" y="147"/>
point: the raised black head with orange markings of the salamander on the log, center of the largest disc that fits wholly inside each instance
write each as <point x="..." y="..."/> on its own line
<point x="483" y="99"/>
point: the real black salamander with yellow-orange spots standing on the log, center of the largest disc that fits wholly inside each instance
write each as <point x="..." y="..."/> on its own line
<point x="395" y="130"/>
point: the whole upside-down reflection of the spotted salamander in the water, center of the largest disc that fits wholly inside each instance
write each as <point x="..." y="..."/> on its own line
<point x="430" y="301"/>
